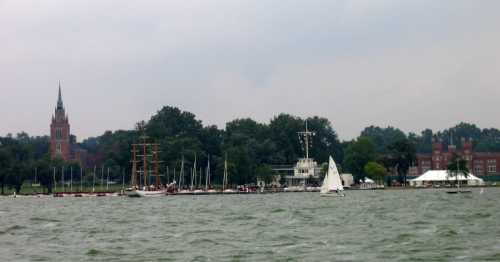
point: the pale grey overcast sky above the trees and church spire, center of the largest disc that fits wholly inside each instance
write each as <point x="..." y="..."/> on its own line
<point x="410" y="64"/>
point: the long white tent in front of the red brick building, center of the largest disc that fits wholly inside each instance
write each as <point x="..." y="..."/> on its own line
<point x="442" y="176"/>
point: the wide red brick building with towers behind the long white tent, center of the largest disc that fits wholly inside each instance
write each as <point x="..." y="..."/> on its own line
<point x="479" y="163"/>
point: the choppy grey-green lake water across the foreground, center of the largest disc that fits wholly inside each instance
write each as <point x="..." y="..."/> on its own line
<point x="409" y="225"/>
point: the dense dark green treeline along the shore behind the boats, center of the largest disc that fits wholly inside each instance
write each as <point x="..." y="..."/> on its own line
<point x="252" y="148"/>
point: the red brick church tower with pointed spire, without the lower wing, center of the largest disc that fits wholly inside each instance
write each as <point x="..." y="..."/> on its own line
<point x="59" y="132"/>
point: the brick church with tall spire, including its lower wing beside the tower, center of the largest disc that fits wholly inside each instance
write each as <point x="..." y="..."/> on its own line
<point x="62" y="145"/>
